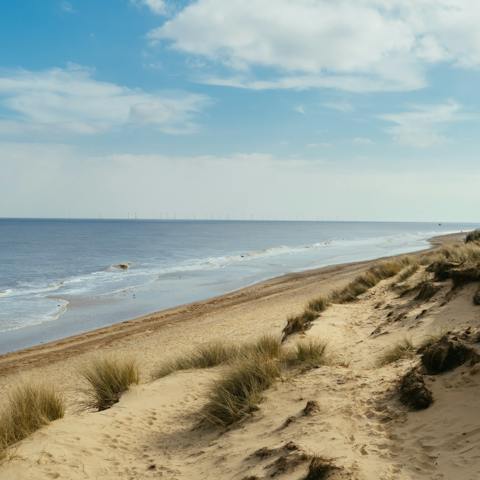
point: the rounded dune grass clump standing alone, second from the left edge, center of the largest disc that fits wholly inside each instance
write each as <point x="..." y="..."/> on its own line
<point x="107" y="378"/>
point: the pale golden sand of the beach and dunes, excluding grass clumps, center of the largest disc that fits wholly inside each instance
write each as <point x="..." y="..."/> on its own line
<point x="360" y="423"/>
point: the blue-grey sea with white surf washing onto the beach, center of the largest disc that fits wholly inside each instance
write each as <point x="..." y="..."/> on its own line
<point x="59" y="277"/>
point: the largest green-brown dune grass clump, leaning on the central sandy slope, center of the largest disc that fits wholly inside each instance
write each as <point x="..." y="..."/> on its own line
<point x="239" y="390"/>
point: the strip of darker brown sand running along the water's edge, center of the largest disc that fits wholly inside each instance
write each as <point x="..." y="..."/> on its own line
<point x="128" y="331"/>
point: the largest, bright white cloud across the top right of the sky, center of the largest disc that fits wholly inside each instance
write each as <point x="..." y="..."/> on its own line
<point x="353" y="45"/>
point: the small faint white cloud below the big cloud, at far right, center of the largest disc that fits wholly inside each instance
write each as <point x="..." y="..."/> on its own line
<point x="422" y="125"/>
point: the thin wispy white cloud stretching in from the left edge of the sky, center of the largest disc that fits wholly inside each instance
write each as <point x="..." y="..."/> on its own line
<point x="71" y="100"/>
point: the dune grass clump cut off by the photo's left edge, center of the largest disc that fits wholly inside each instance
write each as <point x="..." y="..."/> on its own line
<point x="29" y="408"/>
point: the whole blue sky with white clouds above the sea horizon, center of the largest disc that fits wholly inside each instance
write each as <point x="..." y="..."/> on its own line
<point x="240" y="109"/>
